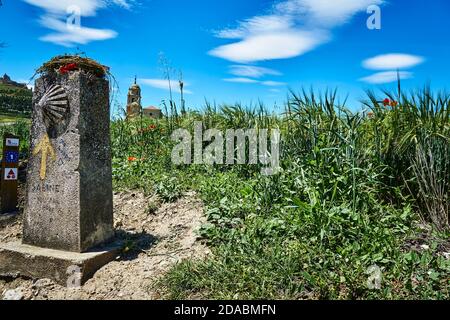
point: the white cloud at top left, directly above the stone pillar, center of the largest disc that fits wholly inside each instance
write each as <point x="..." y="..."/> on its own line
<point x="55" y="15"/>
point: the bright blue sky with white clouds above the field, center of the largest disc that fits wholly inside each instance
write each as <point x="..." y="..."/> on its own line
<point x="237" y="51"/>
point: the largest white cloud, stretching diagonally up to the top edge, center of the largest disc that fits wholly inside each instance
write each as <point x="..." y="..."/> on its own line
<point x="292" y="28"/>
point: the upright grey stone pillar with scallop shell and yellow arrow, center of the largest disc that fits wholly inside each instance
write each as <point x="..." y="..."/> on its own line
<point x="69" y="205"/>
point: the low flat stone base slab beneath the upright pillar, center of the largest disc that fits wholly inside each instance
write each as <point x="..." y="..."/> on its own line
<point x="41" y="263"/>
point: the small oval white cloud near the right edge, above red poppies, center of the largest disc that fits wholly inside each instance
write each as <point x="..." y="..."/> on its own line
<point x="393" y="61"/>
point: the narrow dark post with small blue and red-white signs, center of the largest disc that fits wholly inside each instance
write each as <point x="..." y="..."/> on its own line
<point x="10" y="174"/>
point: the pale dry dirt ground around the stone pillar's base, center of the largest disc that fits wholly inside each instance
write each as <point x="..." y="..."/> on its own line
<point x="157" y="236"/>
